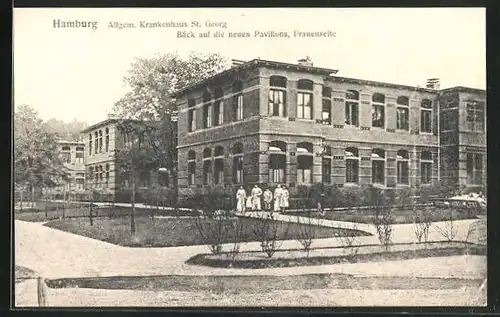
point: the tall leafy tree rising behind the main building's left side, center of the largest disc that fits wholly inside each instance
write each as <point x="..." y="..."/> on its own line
<point x="149" y="109"/>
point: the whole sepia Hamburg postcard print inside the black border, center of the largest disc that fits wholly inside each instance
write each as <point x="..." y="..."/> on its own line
<point x="249" y="157"/>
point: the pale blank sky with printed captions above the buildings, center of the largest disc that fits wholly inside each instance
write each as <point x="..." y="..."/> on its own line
<point x="68" y="73"/>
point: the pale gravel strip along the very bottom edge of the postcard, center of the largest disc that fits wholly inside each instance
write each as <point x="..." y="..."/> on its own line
<point x="332" y="298"/>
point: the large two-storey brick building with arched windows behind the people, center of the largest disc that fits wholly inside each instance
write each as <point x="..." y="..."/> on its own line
<point x="269" y="123"/>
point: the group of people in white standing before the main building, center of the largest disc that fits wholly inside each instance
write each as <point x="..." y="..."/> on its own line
<point x="277" y="201"/>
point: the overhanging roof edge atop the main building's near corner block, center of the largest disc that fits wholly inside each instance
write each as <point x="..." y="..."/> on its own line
<point x="254" y="64"/>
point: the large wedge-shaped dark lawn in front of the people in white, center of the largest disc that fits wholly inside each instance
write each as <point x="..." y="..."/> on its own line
<point x="166" y="232"/>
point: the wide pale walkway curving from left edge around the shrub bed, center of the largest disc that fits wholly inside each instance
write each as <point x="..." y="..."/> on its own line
<point x="54" y="253"/>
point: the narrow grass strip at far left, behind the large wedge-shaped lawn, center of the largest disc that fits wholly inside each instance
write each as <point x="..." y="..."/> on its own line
<point x="82" y="211"/>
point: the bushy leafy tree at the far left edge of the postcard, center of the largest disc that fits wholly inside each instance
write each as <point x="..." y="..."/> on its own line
<point x="36" y="158"/>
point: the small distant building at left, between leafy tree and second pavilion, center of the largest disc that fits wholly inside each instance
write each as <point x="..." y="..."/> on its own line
<point x="72" y="154"/>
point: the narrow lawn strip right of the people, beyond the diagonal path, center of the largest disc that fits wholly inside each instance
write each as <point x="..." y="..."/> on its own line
<point x="400" y="215"/>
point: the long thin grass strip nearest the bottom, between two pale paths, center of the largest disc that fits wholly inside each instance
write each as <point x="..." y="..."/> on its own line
<point x="261" y="283"/>
